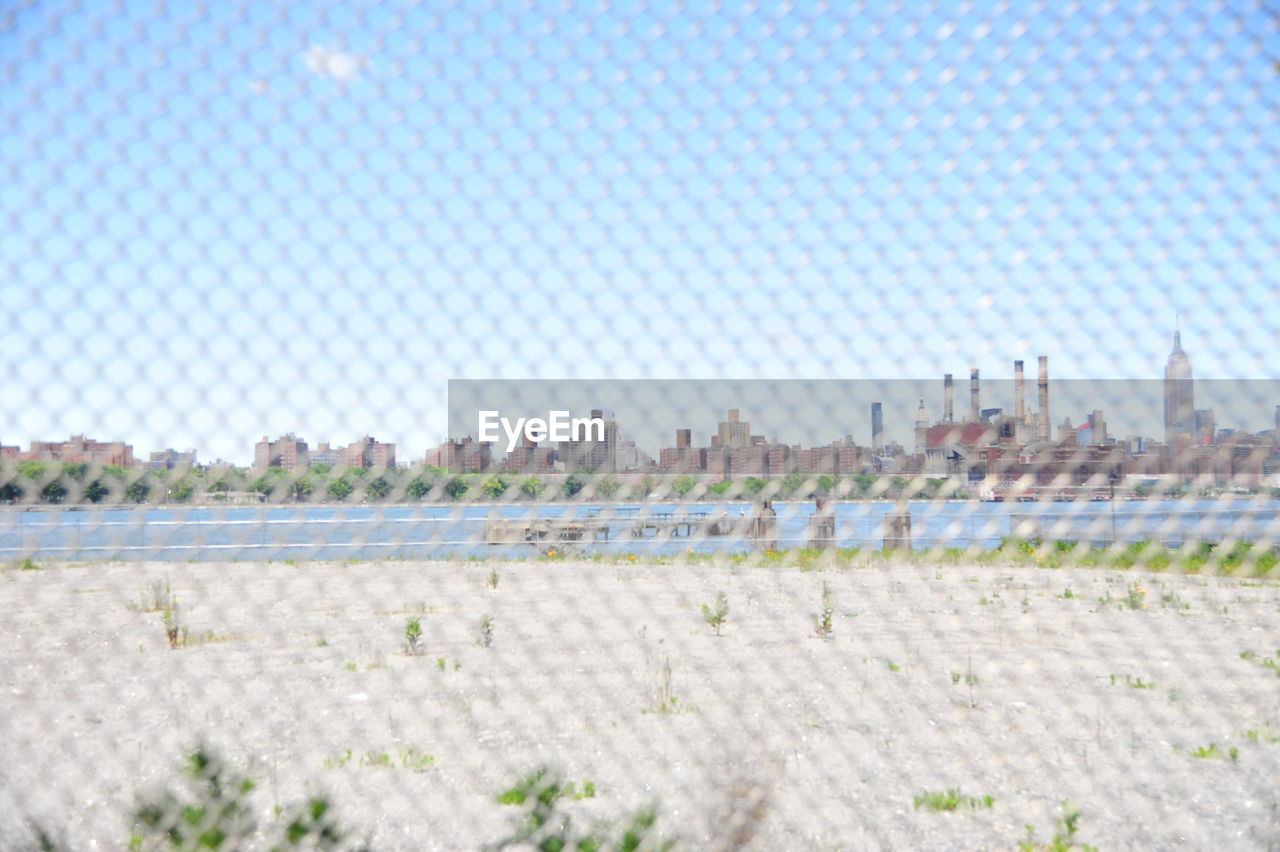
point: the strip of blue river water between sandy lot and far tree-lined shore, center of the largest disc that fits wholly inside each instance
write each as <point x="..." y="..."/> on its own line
<point x="433" y="532"/>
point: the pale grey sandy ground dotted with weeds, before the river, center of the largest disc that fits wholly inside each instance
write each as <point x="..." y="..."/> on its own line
<point x="984" y="680"/>
